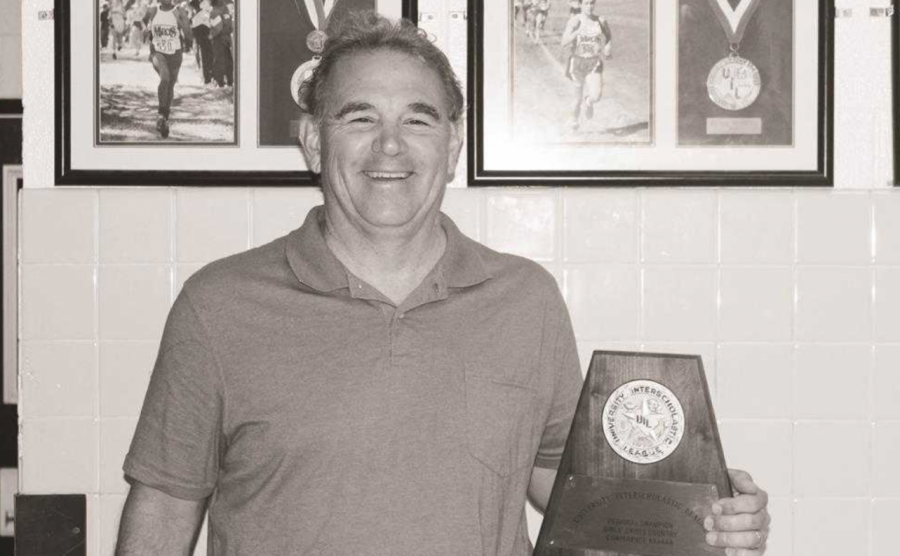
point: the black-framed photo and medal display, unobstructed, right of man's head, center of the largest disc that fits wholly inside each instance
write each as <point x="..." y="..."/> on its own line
<point x="637" y="92"/>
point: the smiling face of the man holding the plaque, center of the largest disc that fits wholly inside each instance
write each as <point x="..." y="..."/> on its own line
<point x="387" y="145"/>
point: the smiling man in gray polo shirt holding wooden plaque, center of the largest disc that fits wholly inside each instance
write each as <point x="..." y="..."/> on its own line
<point x="375" y="382"/>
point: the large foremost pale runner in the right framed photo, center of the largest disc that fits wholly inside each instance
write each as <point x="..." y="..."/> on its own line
<point x="590" y="39"/>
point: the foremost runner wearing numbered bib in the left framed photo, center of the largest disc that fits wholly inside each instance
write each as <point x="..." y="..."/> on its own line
<point x="170" y="32"/>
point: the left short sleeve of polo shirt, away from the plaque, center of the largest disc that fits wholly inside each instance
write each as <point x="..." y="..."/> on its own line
<point x="175" y="448"/>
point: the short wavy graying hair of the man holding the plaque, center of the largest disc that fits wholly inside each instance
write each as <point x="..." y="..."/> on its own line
<point x="368" y="31"/>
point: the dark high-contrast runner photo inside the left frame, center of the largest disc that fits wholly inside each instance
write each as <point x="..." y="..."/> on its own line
<point x="166" y="71"/>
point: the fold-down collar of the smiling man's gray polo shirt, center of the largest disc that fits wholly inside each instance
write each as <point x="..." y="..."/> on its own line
<point x="316" y="266"/>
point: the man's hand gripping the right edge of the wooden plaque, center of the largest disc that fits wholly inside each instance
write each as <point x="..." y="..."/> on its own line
<point x="741" y="523"/>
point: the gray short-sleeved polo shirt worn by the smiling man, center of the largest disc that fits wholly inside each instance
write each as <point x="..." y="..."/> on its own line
<point x="323" y="420"/>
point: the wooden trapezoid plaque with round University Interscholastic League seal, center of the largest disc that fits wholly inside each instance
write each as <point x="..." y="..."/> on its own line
<point x="643" y="462"/>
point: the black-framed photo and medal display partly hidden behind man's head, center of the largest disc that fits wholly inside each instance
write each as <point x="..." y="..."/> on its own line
<point x="188" y="92"/>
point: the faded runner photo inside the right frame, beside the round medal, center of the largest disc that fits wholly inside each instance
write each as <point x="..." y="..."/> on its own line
<point x="582" y="71"/>
